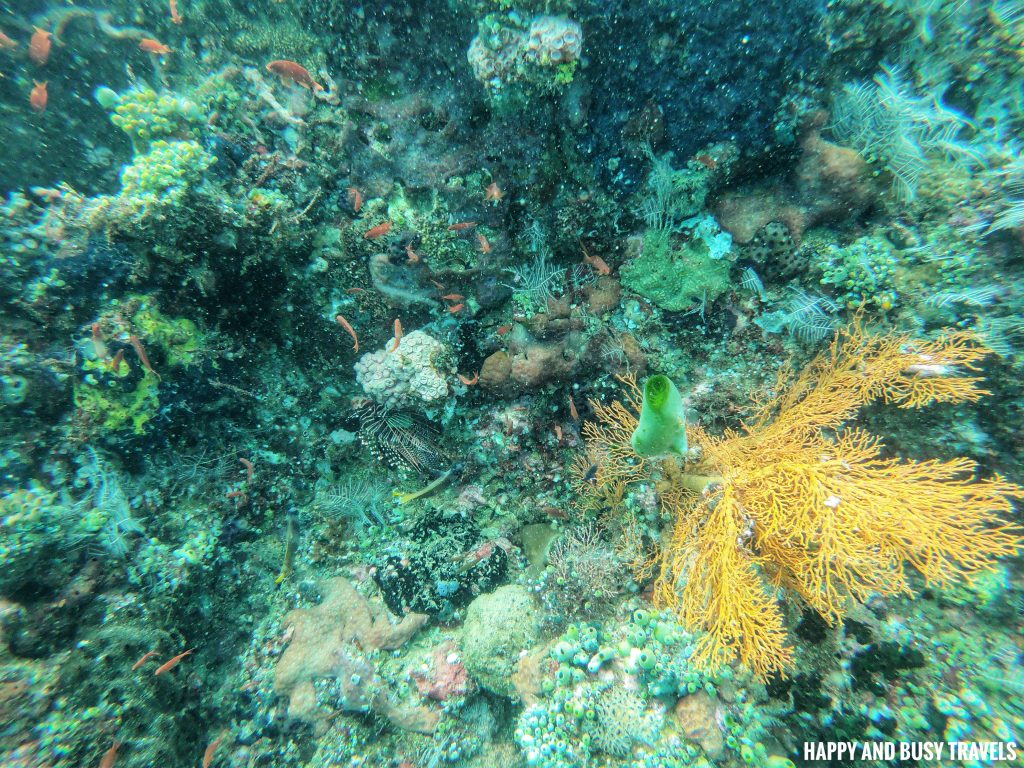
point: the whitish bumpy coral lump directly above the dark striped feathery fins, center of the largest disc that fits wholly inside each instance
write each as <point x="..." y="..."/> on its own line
<point x="416" y="373"/>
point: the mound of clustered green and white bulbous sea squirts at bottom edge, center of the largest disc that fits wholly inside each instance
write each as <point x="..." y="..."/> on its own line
<point x="609" y="701"/>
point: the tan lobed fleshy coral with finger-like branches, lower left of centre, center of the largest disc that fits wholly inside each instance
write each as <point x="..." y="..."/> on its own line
<point x="335" y="642"/>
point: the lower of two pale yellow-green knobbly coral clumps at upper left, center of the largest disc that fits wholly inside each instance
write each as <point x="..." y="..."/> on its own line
<point x="159" y="181"/>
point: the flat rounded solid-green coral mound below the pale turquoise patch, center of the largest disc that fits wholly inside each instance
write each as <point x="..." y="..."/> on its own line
<point x="677" y="279"/>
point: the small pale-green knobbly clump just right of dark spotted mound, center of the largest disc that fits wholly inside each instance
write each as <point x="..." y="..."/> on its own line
<point x="862" y="273"/>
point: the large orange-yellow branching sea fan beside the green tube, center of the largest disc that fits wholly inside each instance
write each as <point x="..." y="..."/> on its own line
<point x="797" y="500"/>
